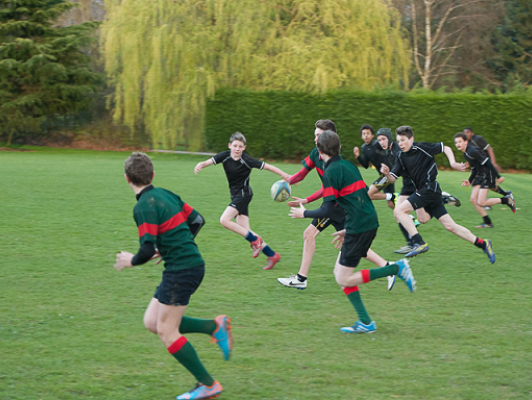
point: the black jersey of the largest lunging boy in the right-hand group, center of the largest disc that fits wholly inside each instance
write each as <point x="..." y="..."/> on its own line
<point x="418" y="163"/>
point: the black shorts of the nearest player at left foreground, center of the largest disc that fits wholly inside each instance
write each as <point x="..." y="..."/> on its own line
<point x="177" y="286"/>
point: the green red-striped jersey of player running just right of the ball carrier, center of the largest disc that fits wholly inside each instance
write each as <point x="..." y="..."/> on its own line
<point x="342" y="182"/>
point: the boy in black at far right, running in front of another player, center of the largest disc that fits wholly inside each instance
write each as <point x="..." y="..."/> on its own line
<point x="483" y="177"/>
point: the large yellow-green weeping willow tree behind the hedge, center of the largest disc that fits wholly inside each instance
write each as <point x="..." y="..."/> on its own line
<point x="166" y="57"/>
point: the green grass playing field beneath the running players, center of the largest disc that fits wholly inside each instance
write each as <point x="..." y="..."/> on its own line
<point x="71" y="326"/>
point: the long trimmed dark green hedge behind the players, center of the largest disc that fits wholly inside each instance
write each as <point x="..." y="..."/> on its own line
<point x="280" y="125"/>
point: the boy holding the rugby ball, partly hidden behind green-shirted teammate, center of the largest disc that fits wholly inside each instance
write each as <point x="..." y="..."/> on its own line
<point x="318" y="225"/>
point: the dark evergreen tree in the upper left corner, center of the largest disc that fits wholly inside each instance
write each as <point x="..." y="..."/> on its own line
<point x="43" y="69"/>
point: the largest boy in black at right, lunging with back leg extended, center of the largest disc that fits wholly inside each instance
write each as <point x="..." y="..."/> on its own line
<point x="417" y="161"/>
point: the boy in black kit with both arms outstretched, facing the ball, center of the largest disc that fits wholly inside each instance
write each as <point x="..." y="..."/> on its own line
<point x="237" y="166"/>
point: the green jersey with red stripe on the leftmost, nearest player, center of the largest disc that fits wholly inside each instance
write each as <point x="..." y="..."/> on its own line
<point x="161" y="217"/>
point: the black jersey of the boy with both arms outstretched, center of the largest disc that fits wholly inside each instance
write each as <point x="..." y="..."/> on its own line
<point x="238" y="171"/>
